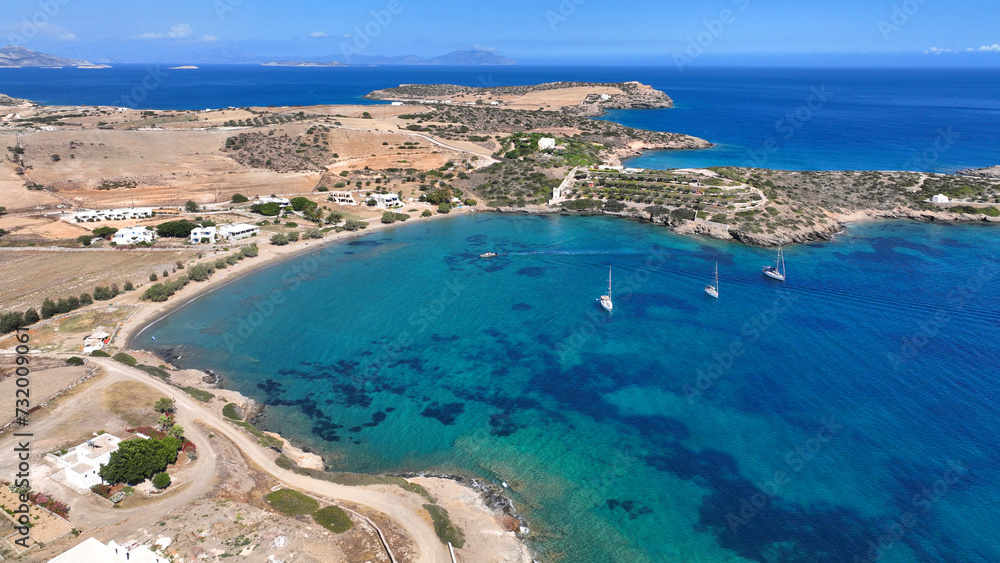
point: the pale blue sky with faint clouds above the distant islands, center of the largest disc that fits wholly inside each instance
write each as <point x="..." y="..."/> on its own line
<point x="933" y="32"/>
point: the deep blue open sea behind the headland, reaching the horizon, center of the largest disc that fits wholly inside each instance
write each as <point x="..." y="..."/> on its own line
<point x="937" y="120"/>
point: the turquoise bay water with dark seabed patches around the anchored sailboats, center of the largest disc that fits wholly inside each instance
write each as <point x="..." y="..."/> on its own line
<point x="848" y="414"/>
